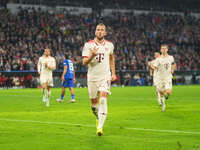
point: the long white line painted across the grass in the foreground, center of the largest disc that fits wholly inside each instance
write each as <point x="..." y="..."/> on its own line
<point x="85" y="125"/>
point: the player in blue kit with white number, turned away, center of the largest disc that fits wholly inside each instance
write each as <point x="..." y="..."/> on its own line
<point x="68" y="78"/>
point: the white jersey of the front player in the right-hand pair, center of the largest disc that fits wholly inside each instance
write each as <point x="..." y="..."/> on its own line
<point x="164" y="67"/>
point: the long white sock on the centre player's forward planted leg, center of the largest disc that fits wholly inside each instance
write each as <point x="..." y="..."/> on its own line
<point x="102" y="111"/>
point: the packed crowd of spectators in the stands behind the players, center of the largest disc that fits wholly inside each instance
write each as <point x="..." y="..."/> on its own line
<point x="23" y="37"/>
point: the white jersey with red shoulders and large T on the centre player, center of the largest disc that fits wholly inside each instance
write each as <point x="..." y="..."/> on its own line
<point x="99" y="67"/>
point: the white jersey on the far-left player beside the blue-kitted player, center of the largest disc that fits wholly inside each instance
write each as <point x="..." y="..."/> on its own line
<point x="44" y="71"/>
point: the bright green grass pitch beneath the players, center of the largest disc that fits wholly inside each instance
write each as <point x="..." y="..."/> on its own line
<point x="134" y="121"/>
